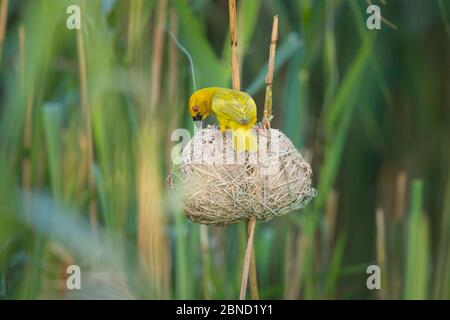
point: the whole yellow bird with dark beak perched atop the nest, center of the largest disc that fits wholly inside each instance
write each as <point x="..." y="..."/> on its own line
<point x="235" y="110"/>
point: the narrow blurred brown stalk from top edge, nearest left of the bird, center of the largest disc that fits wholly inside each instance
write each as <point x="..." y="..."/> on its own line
<point x="157" y="49"/>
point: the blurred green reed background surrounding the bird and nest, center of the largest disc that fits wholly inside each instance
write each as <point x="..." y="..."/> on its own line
<point x="85" y="126"/>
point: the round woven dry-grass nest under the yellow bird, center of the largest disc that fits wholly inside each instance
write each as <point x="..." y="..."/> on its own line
<point x="219" y="186"/>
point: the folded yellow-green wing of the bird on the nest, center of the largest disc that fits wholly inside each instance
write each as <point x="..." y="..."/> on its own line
<point x="234" y="105"/>
